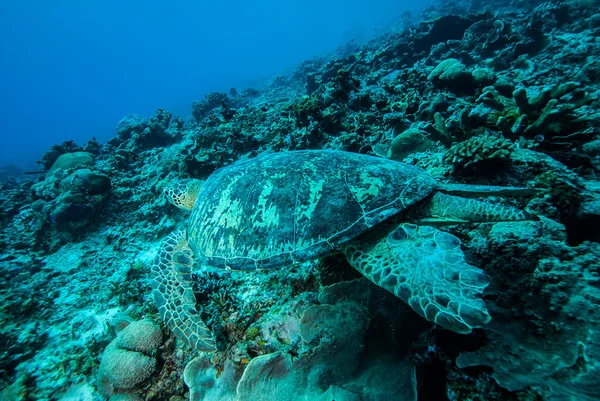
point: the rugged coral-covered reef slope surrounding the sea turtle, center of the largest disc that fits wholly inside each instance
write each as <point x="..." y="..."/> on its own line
<point x="490" y="93"/>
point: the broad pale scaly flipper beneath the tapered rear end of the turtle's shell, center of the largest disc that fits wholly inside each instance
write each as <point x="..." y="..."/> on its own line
<point x="426" y="268"/>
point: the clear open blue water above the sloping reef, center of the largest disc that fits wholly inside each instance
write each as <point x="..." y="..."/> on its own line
<point x="73" y="69"/>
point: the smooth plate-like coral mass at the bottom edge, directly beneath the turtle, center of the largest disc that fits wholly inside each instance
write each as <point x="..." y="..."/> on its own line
<point x="336" y="352"/>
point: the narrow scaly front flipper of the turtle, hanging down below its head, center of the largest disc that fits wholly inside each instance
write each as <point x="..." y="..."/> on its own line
<point x="173" y="293"/>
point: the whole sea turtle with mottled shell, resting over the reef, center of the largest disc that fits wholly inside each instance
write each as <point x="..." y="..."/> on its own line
<point x="283" y="208"/>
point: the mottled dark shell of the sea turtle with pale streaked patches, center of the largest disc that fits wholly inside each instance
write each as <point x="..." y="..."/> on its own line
<point x="288" y="207"/>
